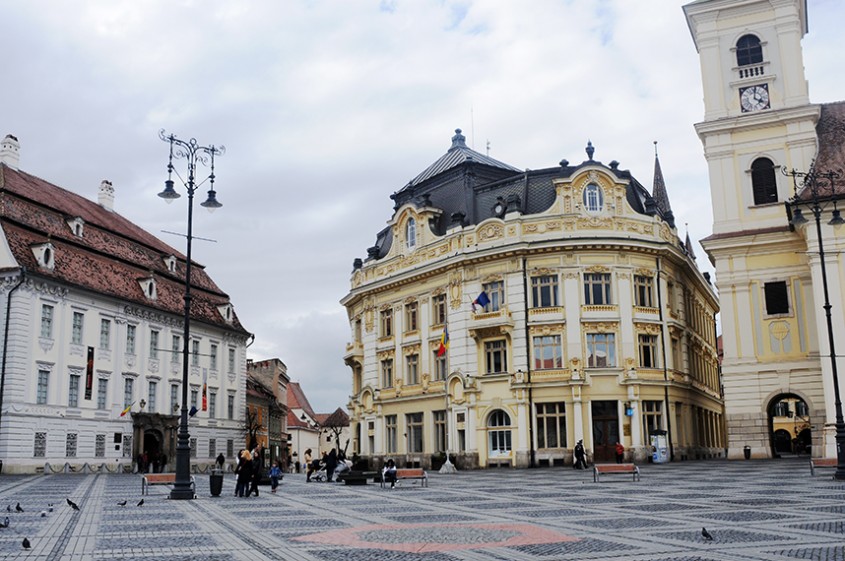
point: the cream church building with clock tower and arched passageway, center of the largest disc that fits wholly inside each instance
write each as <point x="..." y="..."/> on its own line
<point x="759" y="123"/>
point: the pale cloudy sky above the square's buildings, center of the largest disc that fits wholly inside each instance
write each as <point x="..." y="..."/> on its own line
<point x="325" y="108"/>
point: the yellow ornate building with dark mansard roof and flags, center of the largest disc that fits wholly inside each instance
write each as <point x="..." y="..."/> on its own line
<point x="595" y="323"/>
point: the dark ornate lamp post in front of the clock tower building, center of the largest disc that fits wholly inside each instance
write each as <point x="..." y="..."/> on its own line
<point x="817" y="193"/>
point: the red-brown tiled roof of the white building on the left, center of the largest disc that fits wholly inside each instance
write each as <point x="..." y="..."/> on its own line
<point x="109" y="258"/>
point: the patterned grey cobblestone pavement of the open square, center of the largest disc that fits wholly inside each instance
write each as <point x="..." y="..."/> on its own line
<point x="753" y="509"/>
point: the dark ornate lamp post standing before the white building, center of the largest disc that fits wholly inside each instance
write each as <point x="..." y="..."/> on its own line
<point x="194" y="154"/>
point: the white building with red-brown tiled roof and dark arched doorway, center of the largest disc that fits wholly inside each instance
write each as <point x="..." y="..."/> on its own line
<point x="93" y="337"/>
